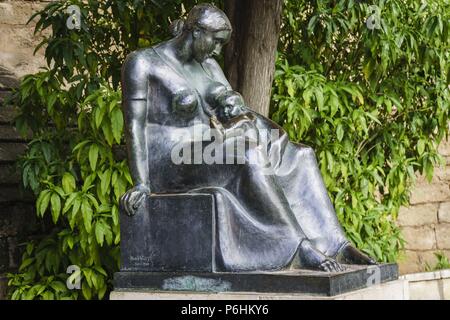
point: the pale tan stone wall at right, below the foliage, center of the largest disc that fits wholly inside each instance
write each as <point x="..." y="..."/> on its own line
<point x="426" y="222"/>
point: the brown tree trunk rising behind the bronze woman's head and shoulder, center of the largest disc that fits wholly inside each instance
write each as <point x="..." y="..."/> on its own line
<point x="250" y="55"/>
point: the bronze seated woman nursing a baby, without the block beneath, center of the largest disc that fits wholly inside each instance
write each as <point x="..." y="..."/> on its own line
<point x="265" y="219"/>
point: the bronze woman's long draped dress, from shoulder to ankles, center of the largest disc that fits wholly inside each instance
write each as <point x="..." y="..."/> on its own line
<point x="261" y="215"/>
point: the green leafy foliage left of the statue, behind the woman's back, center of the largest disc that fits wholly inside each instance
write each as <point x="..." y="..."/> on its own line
<point x="74" y="165"/>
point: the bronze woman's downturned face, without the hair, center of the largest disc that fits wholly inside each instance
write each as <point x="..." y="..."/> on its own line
<point x="208" y="43"/>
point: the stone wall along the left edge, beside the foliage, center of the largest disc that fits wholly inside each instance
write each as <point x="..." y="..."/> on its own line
<point x="18" y="221"/>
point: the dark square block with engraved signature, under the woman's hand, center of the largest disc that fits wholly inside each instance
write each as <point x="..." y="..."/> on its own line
<point x="169" y="233"/>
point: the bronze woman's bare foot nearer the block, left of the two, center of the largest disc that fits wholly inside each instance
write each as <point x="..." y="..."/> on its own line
<point x="312" y="258"/>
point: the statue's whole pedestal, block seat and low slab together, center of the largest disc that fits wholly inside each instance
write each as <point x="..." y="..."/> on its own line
<point x="169" y="246"/>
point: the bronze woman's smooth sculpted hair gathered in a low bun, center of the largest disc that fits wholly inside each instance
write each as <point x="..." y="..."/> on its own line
<point x="205" y="16"/>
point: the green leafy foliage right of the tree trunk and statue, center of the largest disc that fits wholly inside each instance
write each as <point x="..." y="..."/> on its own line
<point x="371" y="95"/>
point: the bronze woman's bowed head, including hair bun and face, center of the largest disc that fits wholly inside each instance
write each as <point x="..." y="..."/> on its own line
<point x="210" y="29"/>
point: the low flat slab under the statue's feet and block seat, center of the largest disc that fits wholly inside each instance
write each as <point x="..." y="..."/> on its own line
<point x="289" y="281"/>
